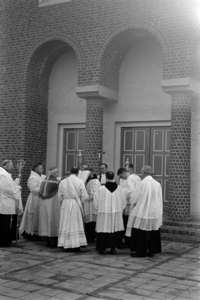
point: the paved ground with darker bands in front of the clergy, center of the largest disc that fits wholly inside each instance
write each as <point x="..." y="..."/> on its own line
<point x="30" y="270"/>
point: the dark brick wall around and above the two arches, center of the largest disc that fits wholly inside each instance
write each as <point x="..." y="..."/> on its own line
<point x="100" y="33"/>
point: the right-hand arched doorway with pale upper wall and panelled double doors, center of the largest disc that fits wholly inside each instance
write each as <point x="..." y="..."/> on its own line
<point x="137" y="127"/>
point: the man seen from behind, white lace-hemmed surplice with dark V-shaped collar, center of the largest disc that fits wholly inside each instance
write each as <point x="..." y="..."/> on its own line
<point x="109" y="200"/>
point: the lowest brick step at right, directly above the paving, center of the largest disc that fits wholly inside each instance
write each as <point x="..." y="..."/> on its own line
<point x="180" y="238"/>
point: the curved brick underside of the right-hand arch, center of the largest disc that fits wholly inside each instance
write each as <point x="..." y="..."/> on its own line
<point x="118" y="44"/>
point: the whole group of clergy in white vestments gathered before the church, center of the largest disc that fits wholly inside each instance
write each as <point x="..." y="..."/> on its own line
<point x="84" y="208"/>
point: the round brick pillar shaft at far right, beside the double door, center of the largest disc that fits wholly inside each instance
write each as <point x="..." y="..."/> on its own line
<point x="179" y="166"/>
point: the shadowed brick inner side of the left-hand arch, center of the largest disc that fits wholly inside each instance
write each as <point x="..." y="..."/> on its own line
<point x="37" y="70"/>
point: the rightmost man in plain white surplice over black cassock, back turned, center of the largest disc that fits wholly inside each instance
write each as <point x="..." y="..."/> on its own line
<point x="145" y="218"/>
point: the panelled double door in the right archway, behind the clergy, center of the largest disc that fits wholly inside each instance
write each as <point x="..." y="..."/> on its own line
<point x="148" y="146"/>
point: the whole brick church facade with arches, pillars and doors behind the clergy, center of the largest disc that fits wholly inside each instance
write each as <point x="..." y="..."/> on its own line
<point x="115" y="76"/>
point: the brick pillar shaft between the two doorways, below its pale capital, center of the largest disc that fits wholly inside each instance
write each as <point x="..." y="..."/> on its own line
<point x="94" y="131"/>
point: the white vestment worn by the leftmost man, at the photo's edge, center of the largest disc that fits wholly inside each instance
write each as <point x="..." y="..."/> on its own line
<point x="9" y="194"/>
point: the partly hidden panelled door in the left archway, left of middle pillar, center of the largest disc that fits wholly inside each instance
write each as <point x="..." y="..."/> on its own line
<point x="74" y="140"/>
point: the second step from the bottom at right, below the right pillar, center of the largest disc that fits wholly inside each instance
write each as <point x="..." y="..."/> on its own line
<point x="177" y="230"/>
